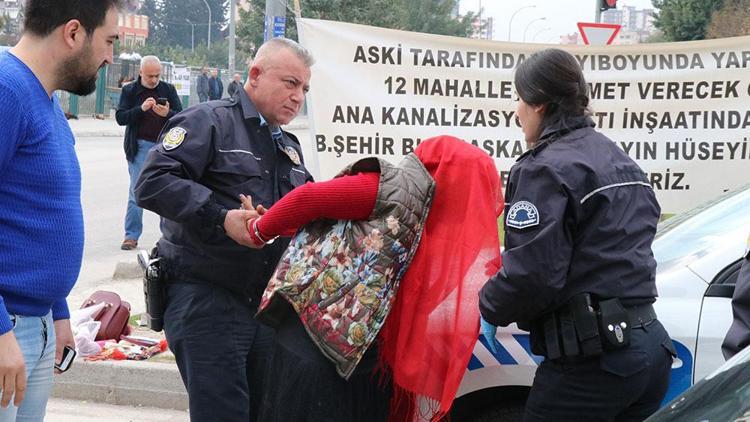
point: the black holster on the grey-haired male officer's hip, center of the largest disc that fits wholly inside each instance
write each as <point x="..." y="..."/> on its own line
<point x="153" y="289"/>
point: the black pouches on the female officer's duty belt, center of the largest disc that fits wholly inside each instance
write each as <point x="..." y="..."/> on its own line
<point x="581" y="328"/>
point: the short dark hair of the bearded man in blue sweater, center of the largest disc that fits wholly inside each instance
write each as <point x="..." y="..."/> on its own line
<point x="41" y="17"/>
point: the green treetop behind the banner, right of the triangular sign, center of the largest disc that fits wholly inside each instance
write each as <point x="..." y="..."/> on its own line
<point x="684" y="20"/>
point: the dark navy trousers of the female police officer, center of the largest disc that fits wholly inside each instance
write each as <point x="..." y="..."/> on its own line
<point x="625" y="385"/>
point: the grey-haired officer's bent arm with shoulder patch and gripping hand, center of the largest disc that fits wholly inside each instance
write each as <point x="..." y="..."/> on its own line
<point x="168" y="184"/>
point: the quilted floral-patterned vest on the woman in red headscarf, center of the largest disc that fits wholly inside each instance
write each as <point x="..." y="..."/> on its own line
<point x="341" y="277"/>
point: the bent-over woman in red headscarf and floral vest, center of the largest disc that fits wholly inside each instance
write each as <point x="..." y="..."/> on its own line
<point x="413" y="243"/>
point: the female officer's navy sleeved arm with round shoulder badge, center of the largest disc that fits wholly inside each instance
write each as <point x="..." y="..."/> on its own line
<point x="537" y="251"/>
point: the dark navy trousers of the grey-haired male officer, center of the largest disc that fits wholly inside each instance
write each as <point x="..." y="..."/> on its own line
<point x="221" y="350"/>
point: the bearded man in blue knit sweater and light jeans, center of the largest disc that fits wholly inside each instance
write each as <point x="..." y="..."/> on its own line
<point x="63" y="46"/>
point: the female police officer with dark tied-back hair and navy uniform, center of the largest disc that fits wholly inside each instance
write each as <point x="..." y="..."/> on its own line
<point x="578" y="270"/>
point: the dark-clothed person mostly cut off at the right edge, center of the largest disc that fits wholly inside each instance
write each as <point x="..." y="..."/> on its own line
<point x="738" y="335"/>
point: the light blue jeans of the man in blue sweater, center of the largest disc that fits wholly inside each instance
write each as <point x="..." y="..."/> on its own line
<point x="36" y="338"/>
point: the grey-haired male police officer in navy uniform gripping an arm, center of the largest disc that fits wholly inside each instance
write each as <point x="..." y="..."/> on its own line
<point x="208" y="156"/>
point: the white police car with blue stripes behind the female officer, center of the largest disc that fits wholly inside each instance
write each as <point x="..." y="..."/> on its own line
<point x="698" y="256"/>
